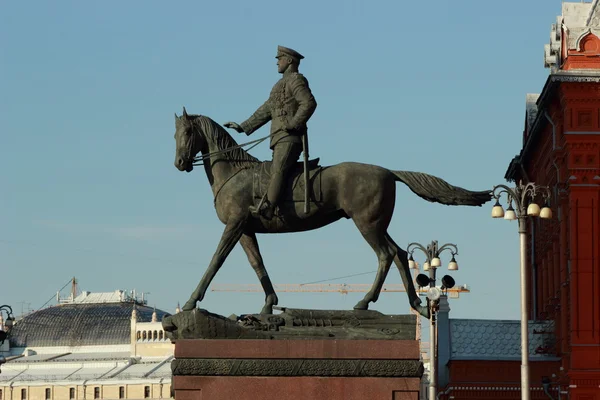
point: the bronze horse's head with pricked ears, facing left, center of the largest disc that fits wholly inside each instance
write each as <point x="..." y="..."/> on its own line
<point x="187" y="142"/>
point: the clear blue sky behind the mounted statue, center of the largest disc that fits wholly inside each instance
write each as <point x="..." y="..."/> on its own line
<point x="88" y="92"/>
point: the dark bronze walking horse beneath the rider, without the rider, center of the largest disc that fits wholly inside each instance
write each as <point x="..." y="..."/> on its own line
<point x="365" y="193"/>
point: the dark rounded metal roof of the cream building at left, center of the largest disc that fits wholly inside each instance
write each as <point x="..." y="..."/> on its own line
<point x="79" y="325"/>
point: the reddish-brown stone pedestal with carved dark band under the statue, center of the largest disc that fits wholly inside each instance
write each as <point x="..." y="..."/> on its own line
<point x="248" y="369"/>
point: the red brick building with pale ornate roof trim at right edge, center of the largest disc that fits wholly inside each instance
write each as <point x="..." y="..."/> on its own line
<point x="561" y="149"/>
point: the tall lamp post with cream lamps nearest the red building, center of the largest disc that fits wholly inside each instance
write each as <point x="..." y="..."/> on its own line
<point x="524" y="198"/>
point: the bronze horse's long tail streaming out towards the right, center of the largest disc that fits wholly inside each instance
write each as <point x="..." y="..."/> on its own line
<point x="434" y="189"/>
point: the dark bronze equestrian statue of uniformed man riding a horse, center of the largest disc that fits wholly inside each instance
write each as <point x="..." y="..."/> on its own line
<point x="284" y="195"/>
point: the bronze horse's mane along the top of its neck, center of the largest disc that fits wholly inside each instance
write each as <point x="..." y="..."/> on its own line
<point x="215" y="132"/>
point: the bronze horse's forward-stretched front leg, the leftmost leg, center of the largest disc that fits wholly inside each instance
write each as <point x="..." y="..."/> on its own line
<point x="231" y="235"/>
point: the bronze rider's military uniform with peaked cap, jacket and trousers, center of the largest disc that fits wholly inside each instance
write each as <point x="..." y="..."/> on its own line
<point x="289" y="107"/>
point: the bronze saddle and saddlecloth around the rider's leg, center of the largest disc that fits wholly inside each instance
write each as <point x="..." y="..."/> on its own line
<point x="294" y="187"/>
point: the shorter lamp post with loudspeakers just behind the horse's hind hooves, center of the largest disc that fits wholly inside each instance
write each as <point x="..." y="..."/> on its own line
<point x="432" y="254"/>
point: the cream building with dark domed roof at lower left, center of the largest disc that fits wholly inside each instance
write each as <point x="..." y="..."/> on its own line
<point x="93" y="346"/>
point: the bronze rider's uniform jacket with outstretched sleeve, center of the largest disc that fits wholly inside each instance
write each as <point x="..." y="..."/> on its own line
<point x="289" y="107"/>
